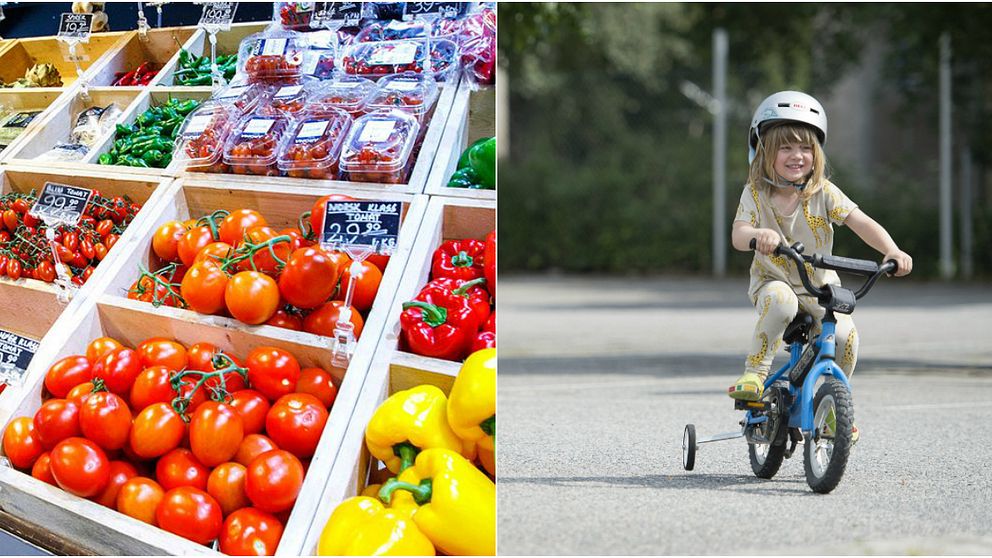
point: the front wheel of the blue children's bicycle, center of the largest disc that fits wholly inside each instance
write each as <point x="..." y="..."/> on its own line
<point x="827" y="452"/>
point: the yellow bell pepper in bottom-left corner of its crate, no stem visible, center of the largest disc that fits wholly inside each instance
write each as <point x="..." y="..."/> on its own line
<point x="362" y="526"/>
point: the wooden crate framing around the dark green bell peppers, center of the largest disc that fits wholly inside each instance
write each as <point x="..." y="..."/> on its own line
<point x="473" y="116"/>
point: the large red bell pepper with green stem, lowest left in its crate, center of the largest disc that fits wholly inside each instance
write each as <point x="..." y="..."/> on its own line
<point x="439" y="325"/>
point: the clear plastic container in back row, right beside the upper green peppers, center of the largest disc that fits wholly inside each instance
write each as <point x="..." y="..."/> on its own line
<point x="272" y="56"/>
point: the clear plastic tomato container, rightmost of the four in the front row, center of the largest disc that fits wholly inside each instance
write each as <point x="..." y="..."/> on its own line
<point x="379" y="147"/>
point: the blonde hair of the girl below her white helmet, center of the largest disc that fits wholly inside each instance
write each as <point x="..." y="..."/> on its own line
<point x="775" y="137"/>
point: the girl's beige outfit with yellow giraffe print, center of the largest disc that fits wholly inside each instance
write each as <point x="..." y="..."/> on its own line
<point x="776" y="290"/>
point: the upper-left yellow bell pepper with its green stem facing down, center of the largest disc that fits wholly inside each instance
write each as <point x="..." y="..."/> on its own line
<point x="411" y="421"/>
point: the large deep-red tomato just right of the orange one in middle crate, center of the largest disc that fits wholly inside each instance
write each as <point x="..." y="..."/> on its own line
<point x="309" y="278"/>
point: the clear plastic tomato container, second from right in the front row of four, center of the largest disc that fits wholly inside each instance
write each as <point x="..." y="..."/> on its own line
<point x="314" y="146"/>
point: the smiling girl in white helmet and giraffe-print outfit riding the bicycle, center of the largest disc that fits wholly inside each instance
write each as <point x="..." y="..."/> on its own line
<point x="788" y="199"/>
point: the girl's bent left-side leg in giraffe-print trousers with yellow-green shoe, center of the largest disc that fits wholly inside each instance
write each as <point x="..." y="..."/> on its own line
<point x="777" y="305"/>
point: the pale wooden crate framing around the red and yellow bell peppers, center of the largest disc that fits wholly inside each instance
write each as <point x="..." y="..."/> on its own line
<point x="392" y="369"/>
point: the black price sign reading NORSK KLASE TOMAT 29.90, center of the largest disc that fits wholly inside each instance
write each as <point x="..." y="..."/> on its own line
<point x="374" y="224"/>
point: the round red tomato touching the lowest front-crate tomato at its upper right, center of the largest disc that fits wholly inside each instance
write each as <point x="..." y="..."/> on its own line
<point x="274" y="481"/>
